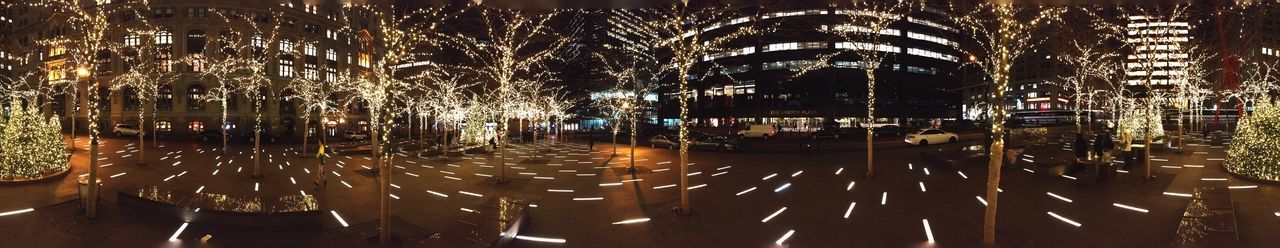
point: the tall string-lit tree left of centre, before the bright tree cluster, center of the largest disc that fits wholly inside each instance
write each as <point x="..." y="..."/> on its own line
<point x="511" y="56"/>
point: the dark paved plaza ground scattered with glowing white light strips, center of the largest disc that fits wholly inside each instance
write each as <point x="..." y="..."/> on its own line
<point x="740" y="200"/>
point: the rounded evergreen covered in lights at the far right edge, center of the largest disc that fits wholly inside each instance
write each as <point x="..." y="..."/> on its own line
<point x="1254" y="149"/>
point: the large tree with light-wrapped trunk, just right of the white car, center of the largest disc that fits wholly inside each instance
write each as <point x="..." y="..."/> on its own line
<point x="1002" y="33"/>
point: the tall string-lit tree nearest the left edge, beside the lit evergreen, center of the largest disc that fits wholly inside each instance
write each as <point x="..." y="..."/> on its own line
<point x="90" y="25"/>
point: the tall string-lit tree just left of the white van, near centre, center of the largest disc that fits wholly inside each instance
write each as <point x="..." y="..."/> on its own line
<point x="680" y="33"/>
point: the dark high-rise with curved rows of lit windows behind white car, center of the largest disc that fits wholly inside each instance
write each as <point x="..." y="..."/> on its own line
<point x="756" y="81"/>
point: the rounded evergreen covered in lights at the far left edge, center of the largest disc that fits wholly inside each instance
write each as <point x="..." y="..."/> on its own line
<point x="31" y="146"/>
